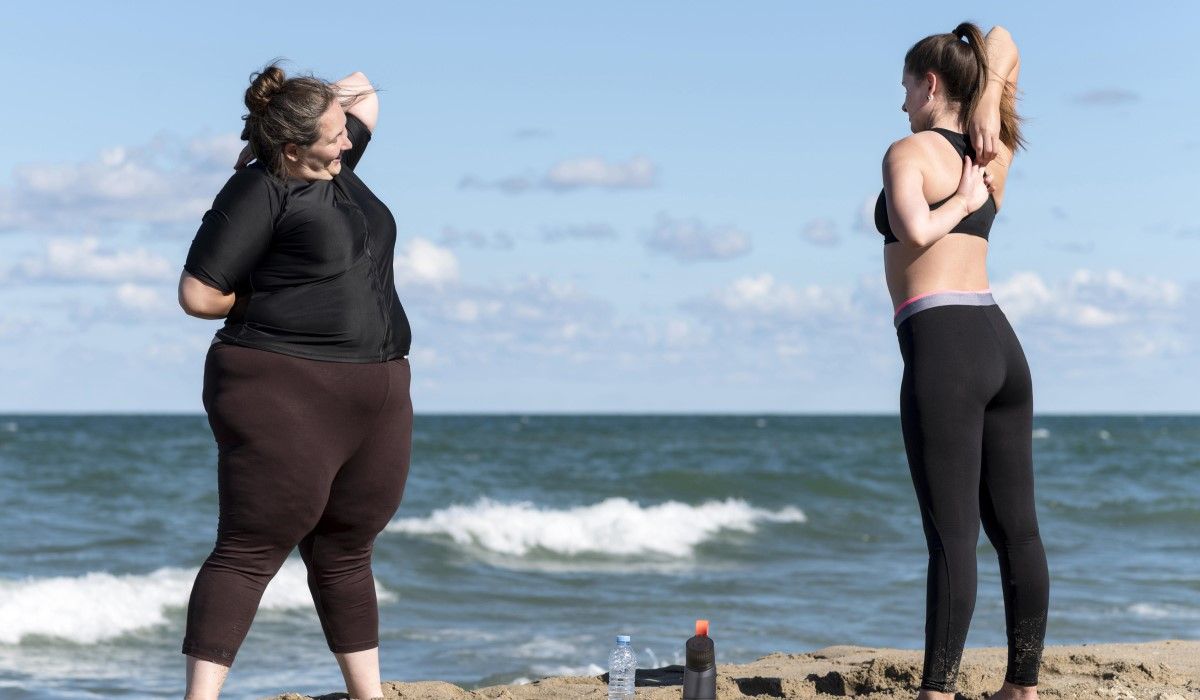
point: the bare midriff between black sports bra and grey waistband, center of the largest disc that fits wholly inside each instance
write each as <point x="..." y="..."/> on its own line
<point x="957" y="262"/>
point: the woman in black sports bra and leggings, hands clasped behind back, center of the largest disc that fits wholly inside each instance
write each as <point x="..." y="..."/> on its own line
<point x="967" y="404"/>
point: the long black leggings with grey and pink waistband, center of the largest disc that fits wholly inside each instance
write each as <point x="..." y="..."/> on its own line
<point x="967" y="408"/>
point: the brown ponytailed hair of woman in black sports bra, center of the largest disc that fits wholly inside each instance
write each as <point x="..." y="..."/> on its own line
<point x="961" y="61"/>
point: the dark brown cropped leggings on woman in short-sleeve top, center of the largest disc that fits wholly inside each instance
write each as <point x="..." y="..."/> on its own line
<point x="313" y="454"/>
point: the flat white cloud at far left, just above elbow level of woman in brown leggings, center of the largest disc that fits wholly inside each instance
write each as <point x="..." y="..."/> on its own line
<point x="86" y="261"/>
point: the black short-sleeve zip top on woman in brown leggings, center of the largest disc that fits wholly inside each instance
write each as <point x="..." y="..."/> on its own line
<point x="311" y="264"/>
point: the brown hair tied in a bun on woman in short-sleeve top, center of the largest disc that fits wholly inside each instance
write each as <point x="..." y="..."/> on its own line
<point x="283" y="111"/>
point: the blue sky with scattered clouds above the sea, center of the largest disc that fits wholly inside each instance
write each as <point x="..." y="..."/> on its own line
<point x="619" y="207"/>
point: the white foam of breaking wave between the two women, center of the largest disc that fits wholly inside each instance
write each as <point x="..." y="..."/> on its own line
<point x="615" y="527"/>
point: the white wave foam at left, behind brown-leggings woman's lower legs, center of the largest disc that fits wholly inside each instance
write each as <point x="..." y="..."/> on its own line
<point x="99" y="607"/>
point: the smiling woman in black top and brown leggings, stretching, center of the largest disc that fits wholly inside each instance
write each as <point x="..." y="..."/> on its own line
<point x="307" y="385"/>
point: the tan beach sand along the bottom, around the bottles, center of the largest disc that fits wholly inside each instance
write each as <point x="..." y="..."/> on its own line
<point x="1160" y="671"/>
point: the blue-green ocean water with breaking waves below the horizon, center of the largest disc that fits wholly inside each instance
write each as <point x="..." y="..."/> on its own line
<point x="526" y="543"/>
